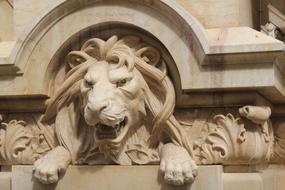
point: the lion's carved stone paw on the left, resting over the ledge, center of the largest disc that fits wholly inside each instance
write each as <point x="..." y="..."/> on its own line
<point x="47" y="168"/>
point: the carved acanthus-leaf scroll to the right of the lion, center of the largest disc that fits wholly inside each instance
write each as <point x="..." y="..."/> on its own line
<point x="233" y="140"/>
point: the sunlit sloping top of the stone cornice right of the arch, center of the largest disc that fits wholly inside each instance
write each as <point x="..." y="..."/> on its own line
<point x="241" y="40"/>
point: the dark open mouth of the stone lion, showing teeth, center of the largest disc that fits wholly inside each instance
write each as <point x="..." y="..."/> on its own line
<point x="104" y="131"/>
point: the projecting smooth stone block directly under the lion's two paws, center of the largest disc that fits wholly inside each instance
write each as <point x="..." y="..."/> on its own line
<point x="115" y="177"/>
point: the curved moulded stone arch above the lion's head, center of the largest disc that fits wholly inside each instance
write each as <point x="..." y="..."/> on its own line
<point x="166" y="21"/>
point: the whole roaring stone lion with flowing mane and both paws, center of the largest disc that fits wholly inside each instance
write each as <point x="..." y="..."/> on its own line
<point x="116" y="107"/>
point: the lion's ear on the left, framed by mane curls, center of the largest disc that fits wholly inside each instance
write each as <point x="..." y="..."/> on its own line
<point x="76" y="58"/>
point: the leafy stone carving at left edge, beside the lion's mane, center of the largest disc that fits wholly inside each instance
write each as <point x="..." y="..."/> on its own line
<point x="22" y="143"/>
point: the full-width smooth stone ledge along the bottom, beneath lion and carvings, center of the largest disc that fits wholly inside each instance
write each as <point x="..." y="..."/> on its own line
<point x="214" y="177"/>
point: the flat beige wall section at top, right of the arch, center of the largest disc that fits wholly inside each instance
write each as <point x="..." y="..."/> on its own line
<point x="217" y="13"/>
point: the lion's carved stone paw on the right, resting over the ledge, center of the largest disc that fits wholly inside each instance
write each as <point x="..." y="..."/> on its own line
<point x="177" y="166"/>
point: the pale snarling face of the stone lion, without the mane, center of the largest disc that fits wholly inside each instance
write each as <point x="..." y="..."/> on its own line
<point x="113" y="100"/>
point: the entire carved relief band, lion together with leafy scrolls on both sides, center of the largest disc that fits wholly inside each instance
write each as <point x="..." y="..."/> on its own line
<point x="116" y="106"/>
